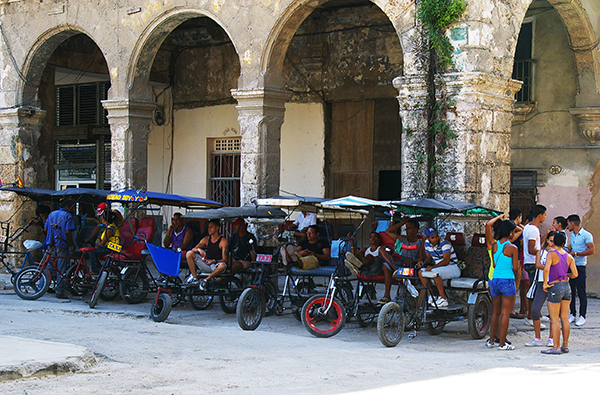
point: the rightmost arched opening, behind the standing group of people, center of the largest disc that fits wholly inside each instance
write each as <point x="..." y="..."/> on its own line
<point x="551" y="162"/>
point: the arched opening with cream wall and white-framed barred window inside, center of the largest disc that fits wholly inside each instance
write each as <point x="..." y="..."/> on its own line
<point x="194" y="141"/>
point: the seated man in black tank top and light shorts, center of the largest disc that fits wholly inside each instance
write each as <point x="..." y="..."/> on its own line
<point x="213" y="260"/>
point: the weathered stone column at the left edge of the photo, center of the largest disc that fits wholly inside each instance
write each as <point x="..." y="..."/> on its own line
<point x="20" y="130"/>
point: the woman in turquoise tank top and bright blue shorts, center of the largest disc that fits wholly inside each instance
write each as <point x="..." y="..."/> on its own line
<point x="505" y="260"/>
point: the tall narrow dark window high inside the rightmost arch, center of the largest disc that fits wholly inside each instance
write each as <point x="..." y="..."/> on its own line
<point x="523" y="66"/>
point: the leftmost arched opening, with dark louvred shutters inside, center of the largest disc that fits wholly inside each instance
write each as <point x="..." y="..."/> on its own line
<point x="68" y="78"/>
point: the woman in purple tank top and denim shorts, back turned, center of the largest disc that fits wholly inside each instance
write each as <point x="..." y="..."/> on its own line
<point x="556" y="283"/>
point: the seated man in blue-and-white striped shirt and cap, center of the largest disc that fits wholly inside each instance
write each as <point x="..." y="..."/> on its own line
<point x="441" y="260"/>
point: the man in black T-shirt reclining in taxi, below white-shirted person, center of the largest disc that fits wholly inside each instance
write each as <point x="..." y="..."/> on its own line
<point x="310" y="252"/>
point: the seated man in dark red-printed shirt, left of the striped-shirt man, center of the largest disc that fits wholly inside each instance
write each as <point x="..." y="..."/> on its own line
<point x="409" y="248"/>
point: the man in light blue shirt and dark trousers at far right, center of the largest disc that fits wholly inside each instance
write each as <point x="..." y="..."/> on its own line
<point x="582" y="246"/>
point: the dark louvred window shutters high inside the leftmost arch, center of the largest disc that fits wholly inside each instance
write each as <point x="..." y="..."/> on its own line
<point x="80" y="104"/>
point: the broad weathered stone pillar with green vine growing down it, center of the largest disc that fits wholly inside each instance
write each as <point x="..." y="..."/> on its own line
<point x="476" y="165"/>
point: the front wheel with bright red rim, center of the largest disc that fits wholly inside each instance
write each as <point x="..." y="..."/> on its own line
<point x="319" y="324"/>
